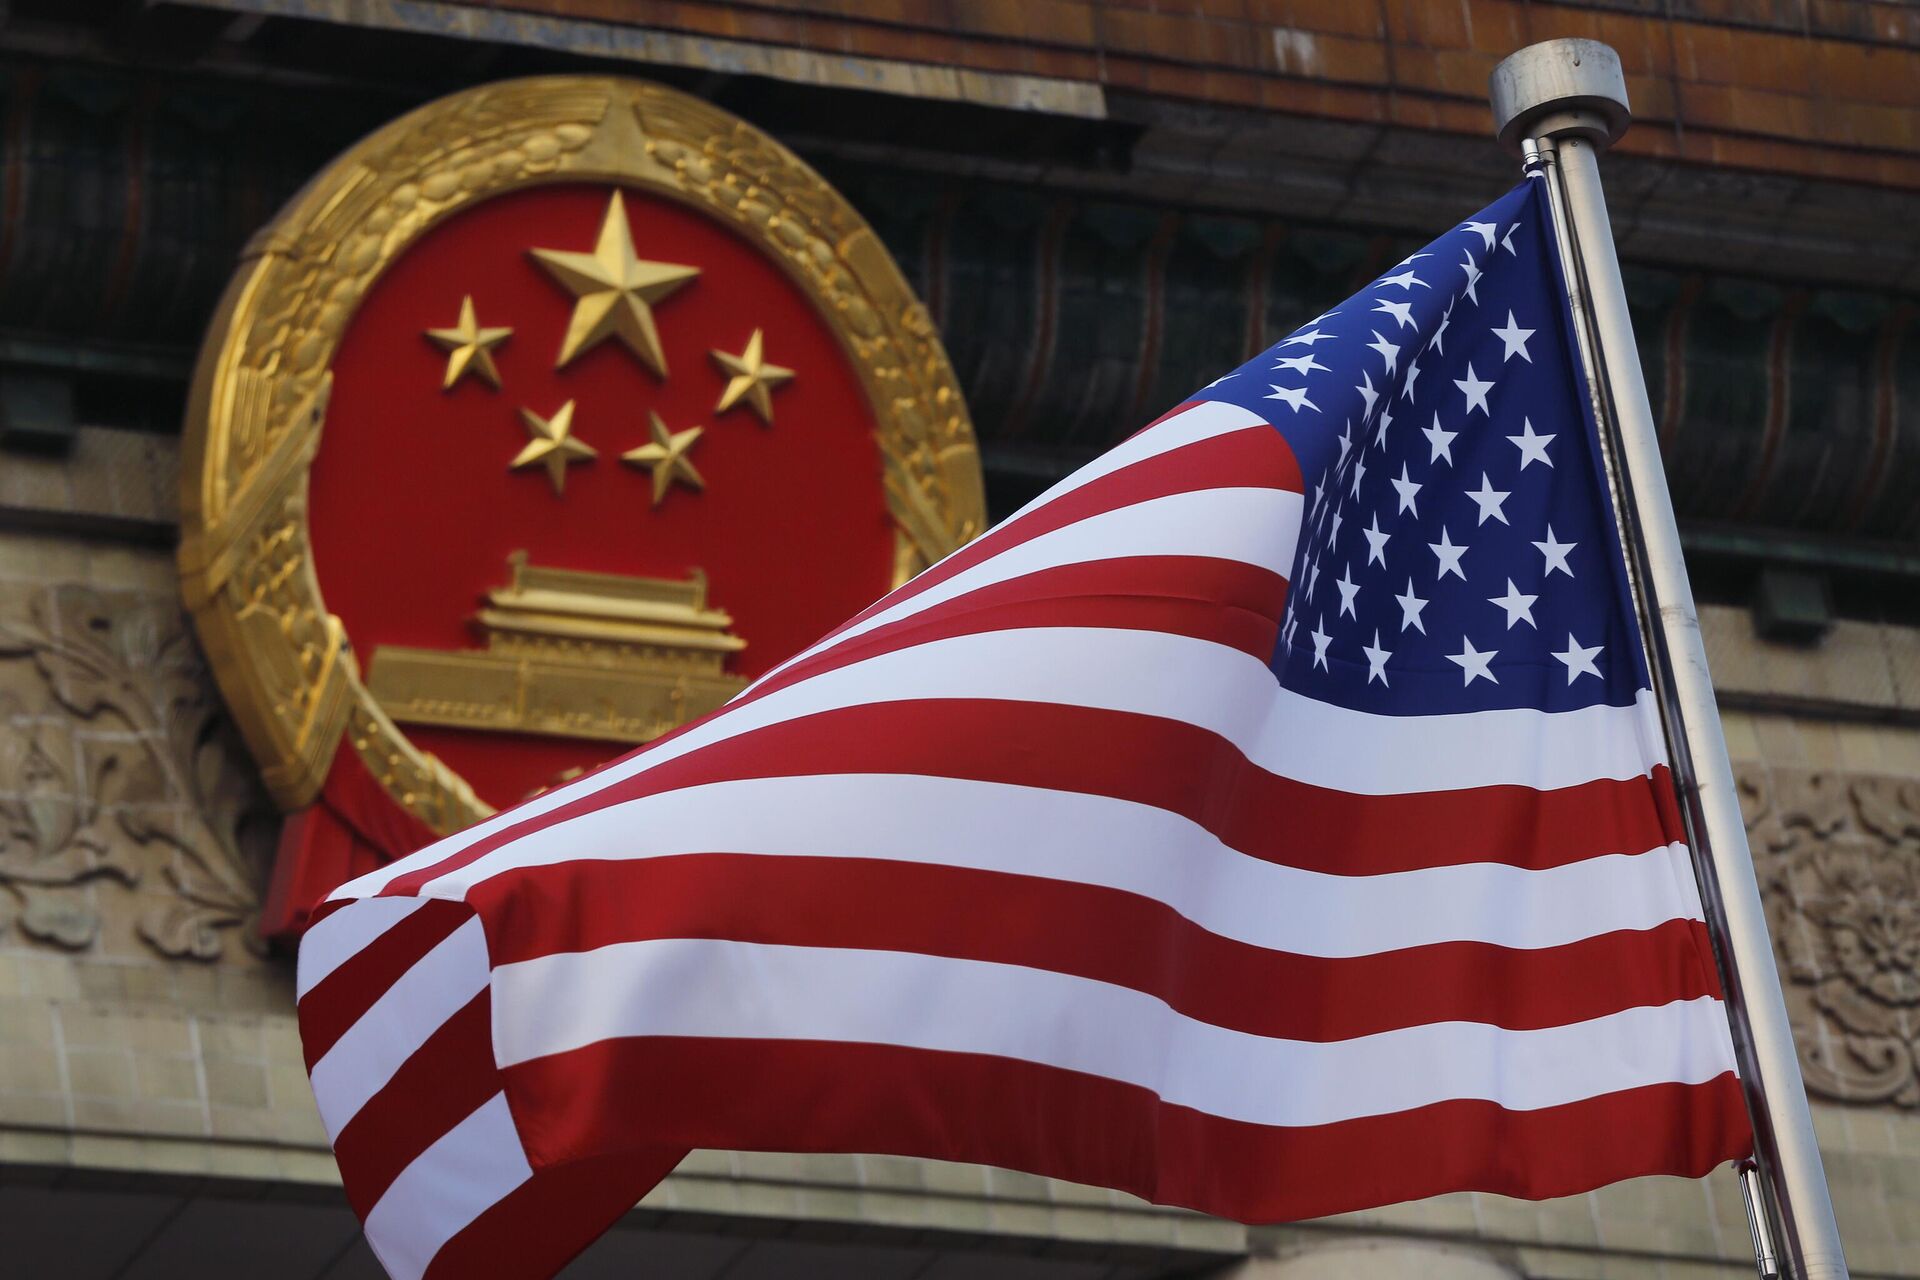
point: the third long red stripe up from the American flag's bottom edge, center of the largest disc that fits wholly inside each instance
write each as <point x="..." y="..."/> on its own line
<point x="1166" y="765"/>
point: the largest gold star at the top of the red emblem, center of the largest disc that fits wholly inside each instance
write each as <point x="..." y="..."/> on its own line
<point x="613" y="291"/>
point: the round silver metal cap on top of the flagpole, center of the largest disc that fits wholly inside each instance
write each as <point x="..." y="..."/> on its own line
<point x="1556" y="89"/>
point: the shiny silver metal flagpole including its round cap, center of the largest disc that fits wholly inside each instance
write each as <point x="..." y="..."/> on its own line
<point x="1562" y="103"/>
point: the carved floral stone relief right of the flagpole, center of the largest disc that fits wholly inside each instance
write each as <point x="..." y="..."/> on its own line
<point x="1840" y="865"/>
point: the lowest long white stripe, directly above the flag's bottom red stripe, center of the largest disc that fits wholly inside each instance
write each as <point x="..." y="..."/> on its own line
<point x="702" y="987"/>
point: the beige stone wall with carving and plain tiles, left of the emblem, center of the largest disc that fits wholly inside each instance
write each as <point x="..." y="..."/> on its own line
<point x="135" y="1008"/>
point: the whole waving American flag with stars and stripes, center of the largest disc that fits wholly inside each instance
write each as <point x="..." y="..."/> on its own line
<point x="1272" y="818"/>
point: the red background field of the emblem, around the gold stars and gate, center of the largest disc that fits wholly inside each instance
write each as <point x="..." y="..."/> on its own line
<point x="416" y="511"/>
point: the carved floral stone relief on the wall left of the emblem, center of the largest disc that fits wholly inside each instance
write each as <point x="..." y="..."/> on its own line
<point x="124" y="792"/>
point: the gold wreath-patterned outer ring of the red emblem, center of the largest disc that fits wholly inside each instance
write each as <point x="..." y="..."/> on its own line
<point x="260" y="391"/>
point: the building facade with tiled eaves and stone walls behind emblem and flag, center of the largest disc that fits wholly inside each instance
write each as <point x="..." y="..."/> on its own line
<point x="1101" y="206"/>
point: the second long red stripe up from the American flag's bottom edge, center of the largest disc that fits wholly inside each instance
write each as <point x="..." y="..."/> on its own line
<point x="1090" y="932"/>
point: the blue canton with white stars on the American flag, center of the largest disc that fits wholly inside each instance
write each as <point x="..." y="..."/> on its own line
<point x="1458" y="550"/>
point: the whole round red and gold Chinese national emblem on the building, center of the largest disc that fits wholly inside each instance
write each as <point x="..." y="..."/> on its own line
<point x="533" y="429"/>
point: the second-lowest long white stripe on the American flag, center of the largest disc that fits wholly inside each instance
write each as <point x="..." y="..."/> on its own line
<point x="1120" y="845"/>
